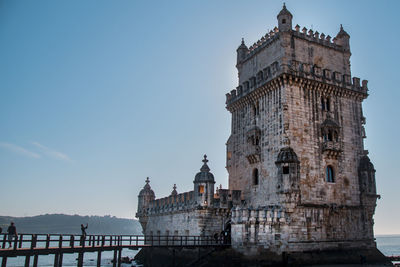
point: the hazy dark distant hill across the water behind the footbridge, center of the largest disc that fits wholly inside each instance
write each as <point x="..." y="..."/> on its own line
<point x="70" y="224"/>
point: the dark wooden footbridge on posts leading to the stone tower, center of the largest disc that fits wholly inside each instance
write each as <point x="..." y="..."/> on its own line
<point x="33" y="245"/>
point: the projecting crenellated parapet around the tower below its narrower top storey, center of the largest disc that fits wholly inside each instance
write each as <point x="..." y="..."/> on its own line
<point x="298" y="69"/>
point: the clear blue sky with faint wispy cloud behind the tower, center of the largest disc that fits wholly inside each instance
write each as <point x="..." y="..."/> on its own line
<point x="97" y="95"/>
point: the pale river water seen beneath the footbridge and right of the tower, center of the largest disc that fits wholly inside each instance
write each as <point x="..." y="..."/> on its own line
<point x="389" y="245"/>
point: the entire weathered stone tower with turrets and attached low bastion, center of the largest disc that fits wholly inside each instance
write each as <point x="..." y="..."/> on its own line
<point x="299" y="176"/>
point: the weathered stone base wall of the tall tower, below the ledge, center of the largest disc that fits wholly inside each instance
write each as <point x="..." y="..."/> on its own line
<point x="300" y="229"/>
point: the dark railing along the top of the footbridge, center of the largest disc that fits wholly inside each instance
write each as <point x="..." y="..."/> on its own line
<point x="46" y="241"/>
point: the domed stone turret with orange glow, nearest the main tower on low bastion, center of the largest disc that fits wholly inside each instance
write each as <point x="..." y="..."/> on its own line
<point x="204" y="185"/>
